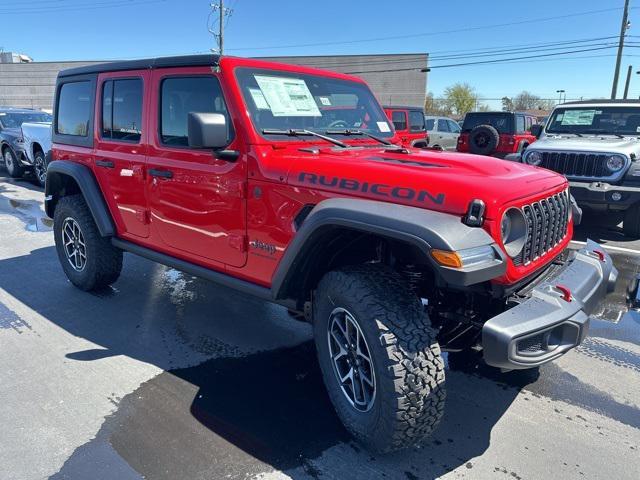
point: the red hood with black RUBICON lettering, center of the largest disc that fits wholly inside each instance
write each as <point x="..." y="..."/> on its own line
<point x="431" y="179"/>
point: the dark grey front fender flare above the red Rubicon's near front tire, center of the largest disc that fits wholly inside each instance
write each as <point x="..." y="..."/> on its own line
<point x="422" y="228"/>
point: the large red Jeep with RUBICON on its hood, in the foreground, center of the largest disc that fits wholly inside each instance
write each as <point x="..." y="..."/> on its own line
<point x="285" y="183"/>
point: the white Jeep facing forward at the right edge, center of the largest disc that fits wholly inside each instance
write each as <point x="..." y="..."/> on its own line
<point x="596" y="145"/>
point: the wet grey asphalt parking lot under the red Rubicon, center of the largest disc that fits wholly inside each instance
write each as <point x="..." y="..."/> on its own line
<point x="166" y="376"/>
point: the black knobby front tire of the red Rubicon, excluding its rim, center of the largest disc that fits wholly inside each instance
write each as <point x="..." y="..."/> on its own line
<point x="408" y="369"/>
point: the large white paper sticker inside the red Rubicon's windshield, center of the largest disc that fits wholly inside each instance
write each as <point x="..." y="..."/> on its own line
<point x="288" y="97"/>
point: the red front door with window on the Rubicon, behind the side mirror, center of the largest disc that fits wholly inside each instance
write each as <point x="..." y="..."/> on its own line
<point x="197" y="202"/>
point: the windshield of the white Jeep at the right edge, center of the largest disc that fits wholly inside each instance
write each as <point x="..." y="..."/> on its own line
<point x="596" y="120"/>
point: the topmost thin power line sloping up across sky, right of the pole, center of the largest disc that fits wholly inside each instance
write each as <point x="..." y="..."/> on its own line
<point x="428" y="34"/>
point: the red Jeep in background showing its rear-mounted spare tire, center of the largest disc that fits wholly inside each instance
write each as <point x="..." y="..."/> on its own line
<point x="496" y="133"/>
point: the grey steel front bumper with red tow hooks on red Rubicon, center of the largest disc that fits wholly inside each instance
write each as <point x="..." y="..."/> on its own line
<point x="545" y="324"/>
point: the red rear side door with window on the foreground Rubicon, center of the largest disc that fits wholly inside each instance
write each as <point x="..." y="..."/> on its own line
<point x="120" y="148"/>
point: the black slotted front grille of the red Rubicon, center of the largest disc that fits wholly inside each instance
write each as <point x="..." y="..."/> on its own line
<point x="547" y="222"/>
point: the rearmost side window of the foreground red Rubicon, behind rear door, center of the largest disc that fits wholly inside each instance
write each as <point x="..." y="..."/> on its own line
<point x="74" y="109"/>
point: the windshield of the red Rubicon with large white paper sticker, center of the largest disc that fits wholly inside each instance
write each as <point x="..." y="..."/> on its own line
<point x="279" y="100"/>
